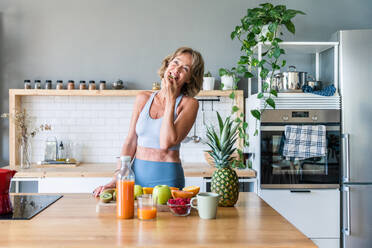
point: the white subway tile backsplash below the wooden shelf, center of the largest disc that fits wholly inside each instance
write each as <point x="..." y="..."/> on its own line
<point x="98" y="126"/>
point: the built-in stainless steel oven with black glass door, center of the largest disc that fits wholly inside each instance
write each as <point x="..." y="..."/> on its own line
<point x="318" y="172"/>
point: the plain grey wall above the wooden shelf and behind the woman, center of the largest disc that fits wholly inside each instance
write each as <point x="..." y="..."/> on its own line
<point x="110" y="39"/>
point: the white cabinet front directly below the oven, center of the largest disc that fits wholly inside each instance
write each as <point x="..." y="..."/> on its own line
<point x="315" y="213"/>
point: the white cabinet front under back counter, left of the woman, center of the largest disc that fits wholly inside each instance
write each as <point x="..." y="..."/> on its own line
<point x="71" y="184"/>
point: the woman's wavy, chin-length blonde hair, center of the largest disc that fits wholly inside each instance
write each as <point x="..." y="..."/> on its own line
<point x="197" y="70"/>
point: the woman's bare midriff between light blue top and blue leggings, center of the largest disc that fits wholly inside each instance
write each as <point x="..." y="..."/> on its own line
<point x="153" y="154"/>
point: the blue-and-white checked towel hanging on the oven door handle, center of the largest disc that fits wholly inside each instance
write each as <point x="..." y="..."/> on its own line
<point x="304" y="141"/>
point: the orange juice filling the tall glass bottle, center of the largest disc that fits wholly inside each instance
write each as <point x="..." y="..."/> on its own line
<point x="125" y="199"/>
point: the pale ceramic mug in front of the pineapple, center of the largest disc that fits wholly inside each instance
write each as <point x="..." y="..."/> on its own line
<point x="207" y="205"/>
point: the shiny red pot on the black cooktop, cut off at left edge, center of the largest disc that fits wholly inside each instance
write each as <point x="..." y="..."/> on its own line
<point x="5" y="178"/>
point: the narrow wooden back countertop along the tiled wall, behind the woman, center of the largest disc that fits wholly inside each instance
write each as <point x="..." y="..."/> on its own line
<point x="107" y="170"/>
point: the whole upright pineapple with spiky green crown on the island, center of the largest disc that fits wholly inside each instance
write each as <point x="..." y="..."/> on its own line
<point x="224" y="180"/>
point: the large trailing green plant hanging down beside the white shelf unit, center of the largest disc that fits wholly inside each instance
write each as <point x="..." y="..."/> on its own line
<point x="266" y="24"/>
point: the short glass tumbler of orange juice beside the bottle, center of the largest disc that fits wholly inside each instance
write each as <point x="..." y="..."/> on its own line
<point x="146" y="207"/>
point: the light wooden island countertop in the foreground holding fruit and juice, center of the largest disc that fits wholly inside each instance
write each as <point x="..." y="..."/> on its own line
<point x="72" y="221"/>
